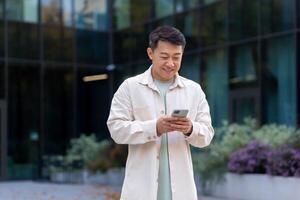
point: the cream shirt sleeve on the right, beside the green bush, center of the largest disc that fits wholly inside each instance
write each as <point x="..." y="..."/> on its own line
<point x="203" y="131"/>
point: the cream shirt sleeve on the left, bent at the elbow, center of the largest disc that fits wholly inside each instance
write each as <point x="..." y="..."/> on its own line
<point x="124" y="129"/>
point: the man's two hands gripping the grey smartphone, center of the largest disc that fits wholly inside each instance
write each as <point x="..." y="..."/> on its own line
<point x="167" y="124"/>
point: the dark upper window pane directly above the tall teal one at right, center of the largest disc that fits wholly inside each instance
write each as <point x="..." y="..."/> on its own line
<point x="277" y="15"/>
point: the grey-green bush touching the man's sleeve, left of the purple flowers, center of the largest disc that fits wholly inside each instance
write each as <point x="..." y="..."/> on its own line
<point x="211" y="162"/>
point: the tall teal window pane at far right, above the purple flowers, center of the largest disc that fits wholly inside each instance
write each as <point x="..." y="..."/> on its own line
<point x="279" y="81"/>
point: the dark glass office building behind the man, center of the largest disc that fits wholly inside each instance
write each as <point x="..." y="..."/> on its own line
<point x="244" y="53"/>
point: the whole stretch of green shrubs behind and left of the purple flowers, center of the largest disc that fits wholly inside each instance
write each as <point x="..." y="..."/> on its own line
<point x="211" y="162"/>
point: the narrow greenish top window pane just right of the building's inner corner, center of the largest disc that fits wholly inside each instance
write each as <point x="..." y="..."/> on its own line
<point x="121" y="13"/>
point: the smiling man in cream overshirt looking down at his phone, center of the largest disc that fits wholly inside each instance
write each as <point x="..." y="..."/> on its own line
<point x="159" y="163"/>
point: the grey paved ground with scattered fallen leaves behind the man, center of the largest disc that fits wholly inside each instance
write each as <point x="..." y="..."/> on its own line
<point x="29" y="190"/>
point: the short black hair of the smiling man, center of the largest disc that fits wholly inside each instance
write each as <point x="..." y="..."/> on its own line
<point x="168" y="34"/>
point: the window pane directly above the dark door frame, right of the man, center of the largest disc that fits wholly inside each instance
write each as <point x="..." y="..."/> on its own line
<point x="244" y="64"/>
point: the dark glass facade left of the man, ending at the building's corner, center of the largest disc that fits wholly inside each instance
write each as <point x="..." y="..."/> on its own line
<point x="42" y="60"/>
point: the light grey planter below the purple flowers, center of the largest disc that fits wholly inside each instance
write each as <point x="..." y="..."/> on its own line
<point x="255" y="186"/>
